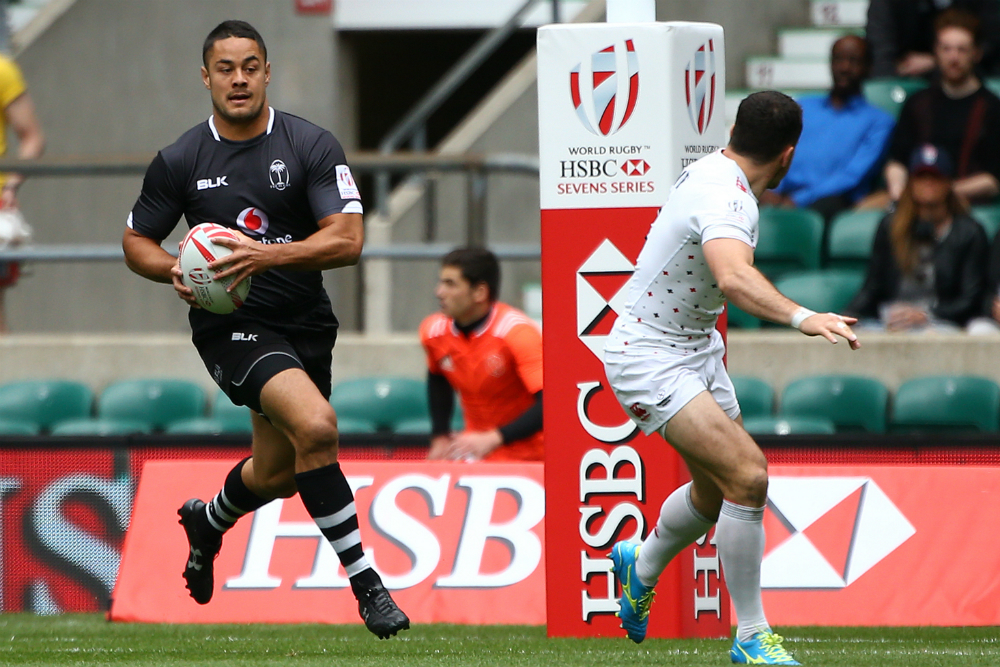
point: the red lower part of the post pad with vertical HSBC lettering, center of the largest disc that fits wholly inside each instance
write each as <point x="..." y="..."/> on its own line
<point x="605" y="480"/>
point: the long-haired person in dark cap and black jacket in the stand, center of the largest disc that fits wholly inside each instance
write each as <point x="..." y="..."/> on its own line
<point x="928" y="263"/>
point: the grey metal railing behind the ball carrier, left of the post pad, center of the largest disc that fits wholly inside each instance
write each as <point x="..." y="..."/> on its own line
<point x="476" y="166"/>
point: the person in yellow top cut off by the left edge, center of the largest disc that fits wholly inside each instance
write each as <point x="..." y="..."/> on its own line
<point x="19" y="116"/>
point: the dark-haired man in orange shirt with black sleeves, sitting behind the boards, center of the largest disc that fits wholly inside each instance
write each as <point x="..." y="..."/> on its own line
<point x="491" y="354"/>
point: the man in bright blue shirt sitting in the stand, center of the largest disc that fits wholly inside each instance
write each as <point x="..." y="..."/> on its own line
<point x="843" y="140"/>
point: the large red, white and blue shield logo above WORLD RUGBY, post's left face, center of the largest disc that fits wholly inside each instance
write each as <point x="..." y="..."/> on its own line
<point x="605" y="88"/>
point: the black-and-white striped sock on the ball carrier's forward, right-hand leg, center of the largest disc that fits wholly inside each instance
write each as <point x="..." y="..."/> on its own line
<point x="328" y="498"/>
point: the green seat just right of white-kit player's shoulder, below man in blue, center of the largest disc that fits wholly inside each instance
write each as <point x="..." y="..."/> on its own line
<point x="790" y="240"/>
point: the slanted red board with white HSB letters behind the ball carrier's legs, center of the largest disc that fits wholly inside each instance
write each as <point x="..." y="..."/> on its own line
<point x="455" y="543"/>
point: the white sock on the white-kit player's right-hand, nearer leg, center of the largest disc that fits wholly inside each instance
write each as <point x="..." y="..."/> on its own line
<point x="739" y="536"/>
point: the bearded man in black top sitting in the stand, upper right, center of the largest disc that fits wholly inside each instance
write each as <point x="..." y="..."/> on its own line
<point x="957" y="114"/>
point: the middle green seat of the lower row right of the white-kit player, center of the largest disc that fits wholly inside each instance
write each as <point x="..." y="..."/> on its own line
<point x="851" y="402"/>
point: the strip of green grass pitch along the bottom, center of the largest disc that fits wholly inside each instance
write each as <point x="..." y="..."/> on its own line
<point x="28" y="640"/>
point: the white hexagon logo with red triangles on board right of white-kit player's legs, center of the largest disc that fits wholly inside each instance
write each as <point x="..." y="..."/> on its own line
<point x="827" y="532"/>
